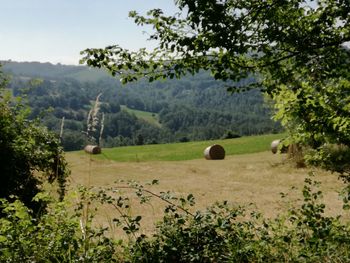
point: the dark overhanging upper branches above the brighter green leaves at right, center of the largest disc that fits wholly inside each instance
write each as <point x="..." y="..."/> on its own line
<point x="233" y="38"/>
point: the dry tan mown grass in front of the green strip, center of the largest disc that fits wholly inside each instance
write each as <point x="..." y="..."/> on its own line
<point x="251" y="178"/>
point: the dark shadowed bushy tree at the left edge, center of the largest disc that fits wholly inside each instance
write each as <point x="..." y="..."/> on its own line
<point x="29" y="155"/>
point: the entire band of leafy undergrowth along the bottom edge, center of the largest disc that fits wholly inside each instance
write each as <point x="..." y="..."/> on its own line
<point x="223" y="232"/>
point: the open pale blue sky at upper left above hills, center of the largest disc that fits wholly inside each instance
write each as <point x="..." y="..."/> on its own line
<point x="56" y="31"/>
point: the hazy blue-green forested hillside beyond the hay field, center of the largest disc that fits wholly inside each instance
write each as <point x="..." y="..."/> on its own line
<point x="193" y="108"/>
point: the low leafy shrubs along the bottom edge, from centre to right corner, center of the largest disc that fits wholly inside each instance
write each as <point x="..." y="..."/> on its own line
<point x="224" y="233"/>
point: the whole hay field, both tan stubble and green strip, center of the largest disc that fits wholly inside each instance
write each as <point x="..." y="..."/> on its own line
<point x="250" y="173"/>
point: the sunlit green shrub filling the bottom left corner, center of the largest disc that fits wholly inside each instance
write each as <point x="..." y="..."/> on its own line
<point x="58" y="236"/>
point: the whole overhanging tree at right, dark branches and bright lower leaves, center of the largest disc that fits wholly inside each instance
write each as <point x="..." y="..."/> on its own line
<point x="296" y="50"/>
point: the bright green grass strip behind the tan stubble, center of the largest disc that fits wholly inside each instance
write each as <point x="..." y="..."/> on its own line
<point x="188" y="150"/>
